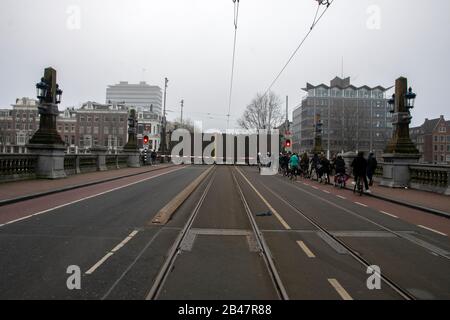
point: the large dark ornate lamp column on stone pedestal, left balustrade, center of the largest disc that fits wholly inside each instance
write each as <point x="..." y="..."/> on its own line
<point x="46" y="142"/>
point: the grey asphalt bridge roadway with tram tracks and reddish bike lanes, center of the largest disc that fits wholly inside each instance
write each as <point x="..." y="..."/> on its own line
<point x="220" y="243"/>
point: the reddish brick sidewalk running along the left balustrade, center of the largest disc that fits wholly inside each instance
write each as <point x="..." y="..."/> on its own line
<point x="16" y="189"/>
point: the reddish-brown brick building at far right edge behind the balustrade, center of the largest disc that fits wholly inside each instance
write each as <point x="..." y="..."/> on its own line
<point x="433" y="140"/>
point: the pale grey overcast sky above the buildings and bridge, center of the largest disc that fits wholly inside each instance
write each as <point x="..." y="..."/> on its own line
<point x="190" y="42"/>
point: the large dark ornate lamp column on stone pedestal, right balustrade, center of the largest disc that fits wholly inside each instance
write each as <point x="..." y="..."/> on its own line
<point x="400" y="151"/>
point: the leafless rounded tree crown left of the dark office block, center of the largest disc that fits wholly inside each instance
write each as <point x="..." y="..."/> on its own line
<point x="264" y="112"/>
